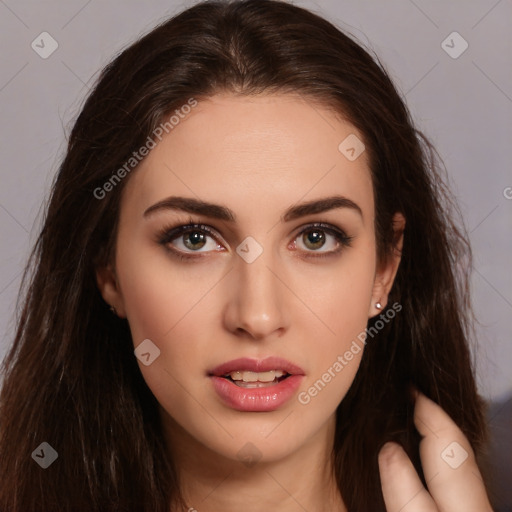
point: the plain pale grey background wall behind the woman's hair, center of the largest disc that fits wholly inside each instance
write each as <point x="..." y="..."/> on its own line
<point x="463" y="104"/>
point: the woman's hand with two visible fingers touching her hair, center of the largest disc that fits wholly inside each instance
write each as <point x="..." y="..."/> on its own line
<point x="452" y="476"/>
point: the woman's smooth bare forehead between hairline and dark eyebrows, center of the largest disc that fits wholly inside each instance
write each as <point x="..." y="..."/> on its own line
<point x="255" y="153"/>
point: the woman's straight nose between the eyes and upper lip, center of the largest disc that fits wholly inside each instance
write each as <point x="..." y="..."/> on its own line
<point x="255" y="308"/>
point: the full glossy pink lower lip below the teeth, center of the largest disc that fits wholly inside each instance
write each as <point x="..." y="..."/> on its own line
<point x="256" y="399"/>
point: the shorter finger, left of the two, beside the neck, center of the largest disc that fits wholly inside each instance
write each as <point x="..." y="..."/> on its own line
<point x="401" y="486"/>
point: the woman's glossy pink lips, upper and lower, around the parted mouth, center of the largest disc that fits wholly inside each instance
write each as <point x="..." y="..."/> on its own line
<point x="256" y="399"/>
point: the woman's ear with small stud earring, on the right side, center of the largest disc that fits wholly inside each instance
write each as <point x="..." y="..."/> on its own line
<point x="387" y="270"/>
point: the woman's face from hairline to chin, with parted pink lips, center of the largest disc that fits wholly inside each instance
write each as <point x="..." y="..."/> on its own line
<point x="261" y="282"/>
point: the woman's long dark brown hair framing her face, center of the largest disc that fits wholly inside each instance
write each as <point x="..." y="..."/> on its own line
<point x="71" y="378"/>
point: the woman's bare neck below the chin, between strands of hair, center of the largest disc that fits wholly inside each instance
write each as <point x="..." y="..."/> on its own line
<point x="303" y="480"/>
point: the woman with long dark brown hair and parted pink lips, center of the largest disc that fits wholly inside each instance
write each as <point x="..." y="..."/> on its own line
<point x="313" y="354"/>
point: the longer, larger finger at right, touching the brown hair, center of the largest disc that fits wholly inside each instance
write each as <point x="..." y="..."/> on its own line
<point x="448" y="461"/>
